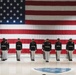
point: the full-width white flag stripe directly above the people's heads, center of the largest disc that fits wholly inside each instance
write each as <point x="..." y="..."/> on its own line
<point x="38" y="36"/>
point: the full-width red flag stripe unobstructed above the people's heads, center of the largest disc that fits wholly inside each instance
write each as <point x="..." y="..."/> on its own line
<point x="43" y="32"/>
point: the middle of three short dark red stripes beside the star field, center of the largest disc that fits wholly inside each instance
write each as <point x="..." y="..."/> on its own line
<point x="32" y="12"/>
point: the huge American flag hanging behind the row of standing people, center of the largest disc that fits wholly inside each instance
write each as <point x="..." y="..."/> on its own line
<point x="39" y="20"/>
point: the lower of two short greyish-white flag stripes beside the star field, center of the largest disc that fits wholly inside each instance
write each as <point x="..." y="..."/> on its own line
<point x="40" y="17"/>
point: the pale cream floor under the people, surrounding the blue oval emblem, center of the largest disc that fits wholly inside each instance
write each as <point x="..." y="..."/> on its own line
<point x="26" y="66"/>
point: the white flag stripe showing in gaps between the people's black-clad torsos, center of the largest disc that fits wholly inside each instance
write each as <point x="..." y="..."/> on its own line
<point x="39" y="46"/>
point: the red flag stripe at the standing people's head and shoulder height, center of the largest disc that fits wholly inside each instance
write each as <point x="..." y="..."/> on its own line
<point x="38" y="41"/>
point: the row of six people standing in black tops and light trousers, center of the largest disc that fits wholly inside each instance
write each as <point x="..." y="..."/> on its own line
<point x="46" y="48"/>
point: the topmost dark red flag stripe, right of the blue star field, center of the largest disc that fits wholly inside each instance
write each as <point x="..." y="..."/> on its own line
<point x="51" y="3"/>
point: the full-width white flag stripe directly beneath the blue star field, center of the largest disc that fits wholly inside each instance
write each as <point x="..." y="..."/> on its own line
<point x="39" y="27"/>
